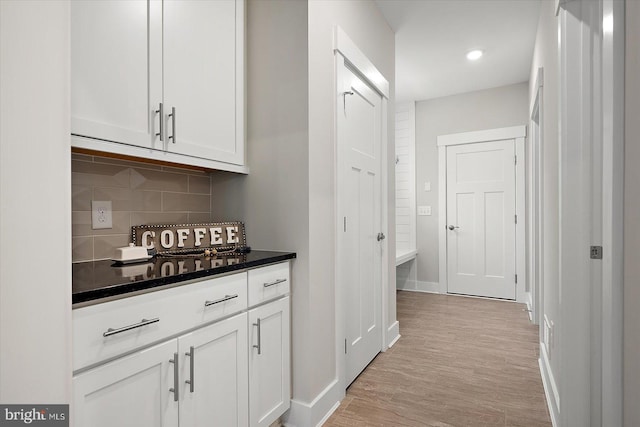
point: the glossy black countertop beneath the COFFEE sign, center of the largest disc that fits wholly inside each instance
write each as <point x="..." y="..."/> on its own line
<point x="94" y="281"/>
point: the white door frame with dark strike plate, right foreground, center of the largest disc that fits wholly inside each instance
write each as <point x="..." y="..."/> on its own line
<point x="591" y="141"/>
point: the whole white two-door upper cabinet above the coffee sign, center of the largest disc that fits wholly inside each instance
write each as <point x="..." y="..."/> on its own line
<point x="160" y="79"/>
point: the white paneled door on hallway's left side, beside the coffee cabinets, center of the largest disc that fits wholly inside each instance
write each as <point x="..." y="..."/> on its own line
<point x="359" y="132"/>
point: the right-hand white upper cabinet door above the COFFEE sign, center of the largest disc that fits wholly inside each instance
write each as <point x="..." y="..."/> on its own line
<point x="203" y="78"/>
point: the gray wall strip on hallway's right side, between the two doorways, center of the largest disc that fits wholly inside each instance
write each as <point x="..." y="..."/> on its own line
<point x="546" y="55"/>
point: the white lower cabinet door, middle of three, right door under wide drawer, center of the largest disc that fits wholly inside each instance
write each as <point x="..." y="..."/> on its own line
<point x="214" y="383"/>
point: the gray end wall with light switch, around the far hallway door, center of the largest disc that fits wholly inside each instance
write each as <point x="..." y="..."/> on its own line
<point x="487" y="109"/>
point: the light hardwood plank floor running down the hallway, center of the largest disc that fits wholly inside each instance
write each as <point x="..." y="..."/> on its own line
<point x="460" y="362"/>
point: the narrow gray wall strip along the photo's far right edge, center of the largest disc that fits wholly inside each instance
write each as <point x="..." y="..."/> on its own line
<point x="631" y="223"/>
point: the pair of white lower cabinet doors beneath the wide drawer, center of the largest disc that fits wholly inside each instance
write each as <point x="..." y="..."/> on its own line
<point x="207" y="386"/>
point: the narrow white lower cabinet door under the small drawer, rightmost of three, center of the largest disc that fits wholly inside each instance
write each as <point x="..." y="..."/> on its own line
<point x="269" y="362"/>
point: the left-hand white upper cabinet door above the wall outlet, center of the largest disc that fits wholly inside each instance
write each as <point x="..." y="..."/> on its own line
<point x="116" y="70"/>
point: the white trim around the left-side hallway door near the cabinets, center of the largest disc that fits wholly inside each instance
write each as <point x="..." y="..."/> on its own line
<point x="347" y="53"/>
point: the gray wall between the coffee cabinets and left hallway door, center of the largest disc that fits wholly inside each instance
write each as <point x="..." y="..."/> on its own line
<point x="288" y="200"/>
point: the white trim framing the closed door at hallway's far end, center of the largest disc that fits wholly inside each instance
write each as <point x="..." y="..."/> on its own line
<point x="518" y="134"/>
